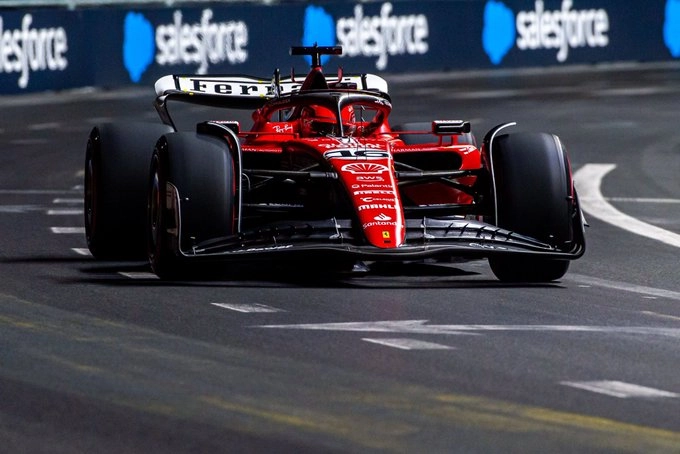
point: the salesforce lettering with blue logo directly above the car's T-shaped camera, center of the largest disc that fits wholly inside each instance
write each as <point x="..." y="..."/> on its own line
<point x="380" y="36"/>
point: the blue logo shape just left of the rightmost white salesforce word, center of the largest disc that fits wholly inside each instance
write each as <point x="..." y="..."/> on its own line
<point x="498" y="35"/>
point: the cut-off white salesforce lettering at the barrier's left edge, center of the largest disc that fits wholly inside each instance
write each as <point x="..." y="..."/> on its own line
<point x="28" y="49"/>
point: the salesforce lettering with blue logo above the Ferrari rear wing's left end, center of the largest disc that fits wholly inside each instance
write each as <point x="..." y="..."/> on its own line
<point x="202" y="43"/>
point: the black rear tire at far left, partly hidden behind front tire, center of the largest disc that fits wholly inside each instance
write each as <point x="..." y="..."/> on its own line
<point x="116" y="172"/>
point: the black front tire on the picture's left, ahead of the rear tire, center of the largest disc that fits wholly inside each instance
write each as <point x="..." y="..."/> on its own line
<point x="200" y="169"/>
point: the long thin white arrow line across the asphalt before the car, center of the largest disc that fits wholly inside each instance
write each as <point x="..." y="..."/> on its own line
<point x="420" y="327"/>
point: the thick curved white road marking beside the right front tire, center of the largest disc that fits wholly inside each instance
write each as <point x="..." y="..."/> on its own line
<point x="588" y="180"/>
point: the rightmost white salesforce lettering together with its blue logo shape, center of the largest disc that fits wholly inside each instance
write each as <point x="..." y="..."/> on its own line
<point x="563" y="29"/>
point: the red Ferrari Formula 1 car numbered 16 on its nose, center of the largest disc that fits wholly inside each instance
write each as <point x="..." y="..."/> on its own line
<point x="322" y="177"/>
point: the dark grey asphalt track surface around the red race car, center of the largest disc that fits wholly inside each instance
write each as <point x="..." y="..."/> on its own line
<point x="102" y="357"/>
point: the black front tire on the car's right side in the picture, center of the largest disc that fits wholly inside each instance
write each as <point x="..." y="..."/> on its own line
<point x="534" y="197"/>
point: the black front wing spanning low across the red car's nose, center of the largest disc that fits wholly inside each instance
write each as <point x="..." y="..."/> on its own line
<point x="425" y="238"/>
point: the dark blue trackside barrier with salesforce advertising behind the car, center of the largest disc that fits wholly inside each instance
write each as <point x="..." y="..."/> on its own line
<point x="52" y="49"/>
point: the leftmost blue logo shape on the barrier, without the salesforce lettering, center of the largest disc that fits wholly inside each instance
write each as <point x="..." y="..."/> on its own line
<point x="139" y="46"/>
